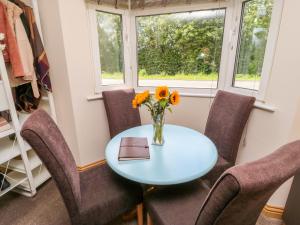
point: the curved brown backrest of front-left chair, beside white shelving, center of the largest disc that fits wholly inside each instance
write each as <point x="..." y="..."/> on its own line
<point x="41" y="132"/>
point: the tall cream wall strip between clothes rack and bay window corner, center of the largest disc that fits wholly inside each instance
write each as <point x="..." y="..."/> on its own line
<point x="56" y="52"/>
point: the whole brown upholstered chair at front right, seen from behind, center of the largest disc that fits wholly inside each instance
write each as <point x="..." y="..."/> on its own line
<point x="237" y="198"/>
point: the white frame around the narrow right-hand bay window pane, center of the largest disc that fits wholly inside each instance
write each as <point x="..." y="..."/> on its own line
<point x="269" y="51"/>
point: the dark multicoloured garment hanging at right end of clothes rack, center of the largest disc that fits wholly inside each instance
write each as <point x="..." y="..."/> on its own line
<point x="40" y="57"/>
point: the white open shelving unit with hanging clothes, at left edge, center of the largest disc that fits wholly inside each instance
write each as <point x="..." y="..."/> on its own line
<point x="24" y="170"/>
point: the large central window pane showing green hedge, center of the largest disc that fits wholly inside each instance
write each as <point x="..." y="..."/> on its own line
<point x="180" y="49"/>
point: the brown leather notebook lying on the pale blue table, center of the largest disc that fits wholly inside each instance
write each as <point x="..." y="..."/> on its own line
<point x="132" y="148"/>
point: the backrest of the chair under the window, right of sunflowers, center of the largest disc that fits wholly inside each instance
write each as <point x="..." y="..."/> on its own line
<point x="226" y="121"/>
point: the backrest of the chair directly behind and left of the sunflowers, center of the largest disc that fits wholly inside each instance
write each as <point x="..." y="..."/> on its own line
<point x="120" y="113"/>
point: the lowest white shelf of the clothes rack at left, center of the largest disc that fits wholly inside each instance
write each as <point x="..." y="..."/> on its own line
<point x="39" y="177"/>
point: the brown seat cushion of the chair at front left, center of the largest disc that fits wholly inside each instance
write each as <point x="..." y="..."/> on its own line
<point x="106" y="195"/>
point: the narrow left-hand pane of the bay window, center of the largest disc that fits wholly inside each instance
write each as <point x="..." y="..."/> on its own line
<point x="111" y="48"/>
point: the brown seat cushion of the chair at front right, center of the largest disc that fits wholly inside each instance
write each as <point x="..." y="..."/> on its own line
<point x="178" y="205"/>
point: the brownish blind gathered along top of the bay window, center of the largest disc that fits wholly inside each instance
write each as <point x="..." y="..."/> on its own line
<point x="140" y="4"/>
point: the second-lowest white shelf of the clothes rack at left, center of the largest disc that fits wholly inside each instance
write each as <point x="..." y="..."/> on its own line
<point x="18" y="164"/>
